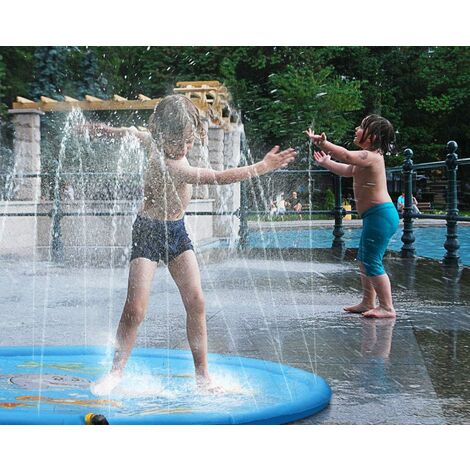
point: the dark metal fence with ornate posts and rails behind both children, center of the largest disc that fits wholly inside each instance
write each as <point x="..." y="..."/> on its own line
<point x="407" y="170"/>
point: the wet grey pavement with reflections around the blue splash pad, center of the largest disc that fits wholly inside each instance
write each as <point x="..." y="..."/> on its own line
<point x="287" y="308"/>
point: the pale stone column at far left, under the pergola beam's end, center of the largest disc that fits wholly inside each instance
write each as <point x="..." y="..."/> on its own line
<point x="27" y="152"/>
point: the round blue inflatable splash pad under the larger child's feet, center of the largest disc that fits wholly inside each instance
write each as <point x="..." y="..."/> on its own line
<point x="51" y="385"/>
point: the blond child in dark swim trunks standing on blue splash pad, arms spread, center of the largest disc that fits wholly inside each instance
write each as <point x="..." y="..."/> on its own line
<point x="159" y="232"/>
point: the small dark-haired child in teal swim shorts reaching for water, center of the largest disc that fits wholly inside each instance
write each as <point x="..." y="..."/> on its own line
<point x="375" y="137"/>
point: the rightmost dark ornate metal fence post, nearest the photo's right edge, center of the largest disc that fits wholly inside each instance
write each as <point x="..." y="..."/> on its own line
<point x="452" y="243"/>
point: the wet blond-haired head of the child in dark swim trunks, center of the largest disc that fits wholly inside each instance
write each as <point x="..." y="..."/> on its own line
<point x="175" y="122"/>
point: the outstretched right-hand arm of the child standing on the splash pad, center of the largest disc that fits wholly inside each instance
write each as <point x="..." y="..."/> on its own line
<point x="193" y="175"/>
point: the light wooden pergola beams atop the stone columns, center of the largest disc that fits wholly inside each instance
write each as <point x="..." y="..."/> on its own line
<point x="211" y="98"/>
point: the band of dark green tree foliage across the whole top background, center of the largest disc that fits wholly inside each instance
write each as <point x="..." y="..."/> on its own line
<point x="280" y="91"/>
